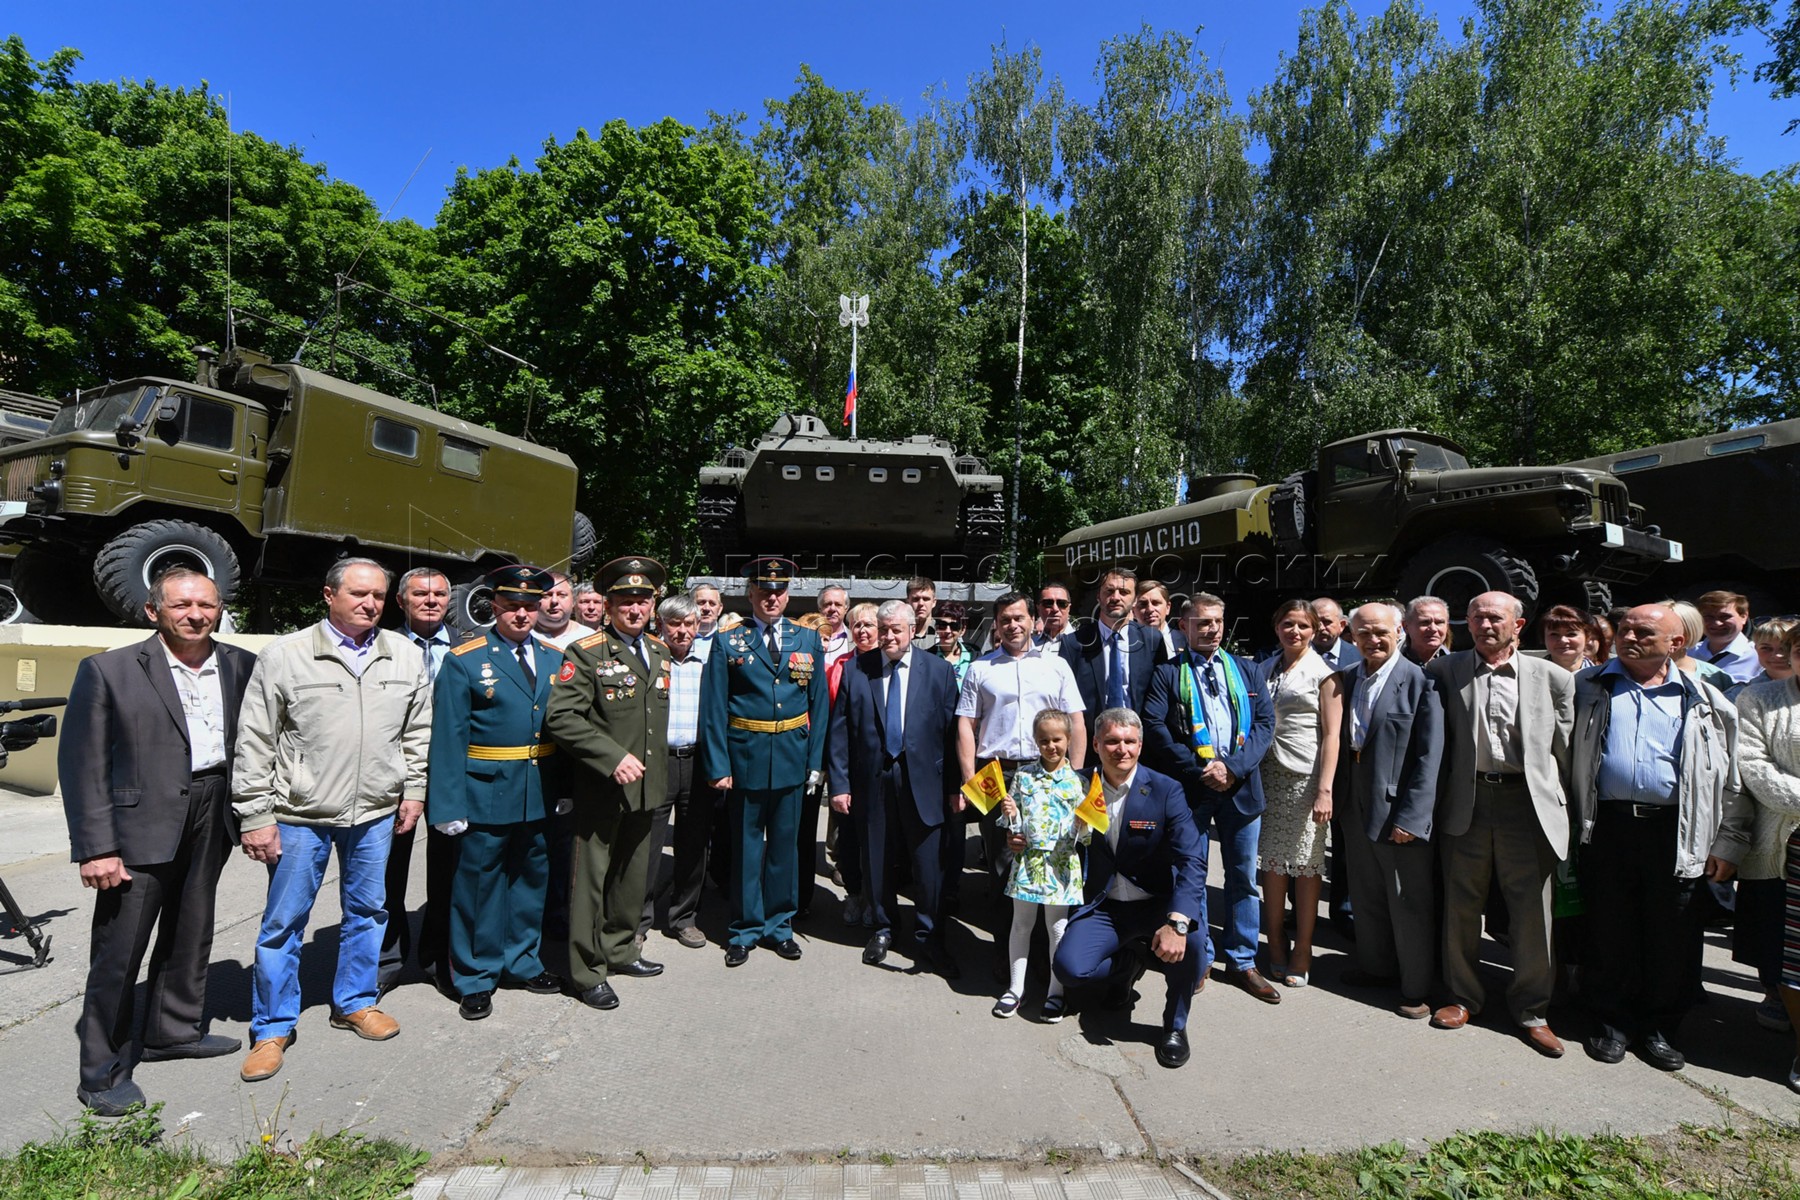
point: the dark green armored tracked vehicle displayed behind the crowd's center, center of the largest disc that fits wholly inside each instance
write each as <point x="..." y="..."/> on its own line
<point x="852" y="506"/>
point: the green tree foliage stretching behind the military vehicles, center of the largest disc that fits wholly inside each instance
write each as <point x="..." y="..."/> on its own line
<point x="1518" y="233"/>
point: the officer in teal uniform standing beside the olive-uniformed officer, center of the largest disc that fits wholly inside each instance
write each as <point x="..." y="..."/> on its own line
<point x="494" y="776"/>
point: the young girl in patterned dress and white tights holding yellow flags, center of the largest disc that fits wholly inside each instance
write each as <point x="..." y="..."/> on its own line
<point x="1047" y="870"/>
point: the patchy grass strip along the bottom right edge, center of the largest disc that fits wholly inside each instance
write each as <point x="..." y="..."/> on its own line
<point x="1759" y="1161"/>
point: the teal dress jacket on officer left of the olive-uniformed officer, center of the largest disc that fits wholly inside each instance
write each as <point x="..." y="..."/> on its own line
<point x="481" y="699"/>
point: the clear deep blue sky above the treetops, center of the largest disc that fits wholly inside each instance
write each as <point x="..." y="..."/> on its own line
<point x="370" y="87"/>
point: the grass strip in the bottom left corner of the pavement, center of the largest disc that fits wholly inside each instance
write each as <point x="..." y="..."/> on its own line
<point x="130" y="1160"/>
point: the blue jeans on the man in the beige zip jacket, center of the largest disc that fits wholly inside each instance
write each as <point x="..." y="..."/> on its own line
<point x="292" y="888"/>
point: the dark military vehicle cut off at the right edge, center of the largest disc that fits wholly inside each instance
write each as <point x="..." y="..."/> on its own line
<point x="1731" y="501"/>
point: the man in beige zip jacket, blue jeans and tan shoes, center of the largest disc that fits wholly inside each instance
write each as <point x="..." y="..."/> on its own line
<point x="332" y="753"/>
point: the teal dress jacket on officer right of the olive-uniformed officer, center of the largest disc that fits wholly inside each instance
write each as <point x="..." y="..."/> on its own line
<point x="744" y="685"/>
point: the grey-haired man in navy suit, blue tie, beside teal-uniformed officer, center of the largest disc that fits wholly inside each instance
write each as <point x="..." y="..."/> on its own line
<point x="894" y="730"/>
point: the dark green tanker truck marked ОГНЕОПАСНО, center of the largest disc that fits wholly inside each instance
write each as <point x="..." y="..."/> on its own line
<point x="1392" y="514"/>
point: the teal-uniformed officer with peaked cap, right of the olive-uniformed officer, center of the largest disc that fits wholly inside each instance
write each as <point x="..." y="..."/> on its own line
<point x="764" y="710"/>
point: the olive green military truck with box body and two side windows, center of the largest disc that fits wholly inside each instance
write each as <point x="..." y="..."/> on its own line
<point x="264" y="470"/>
